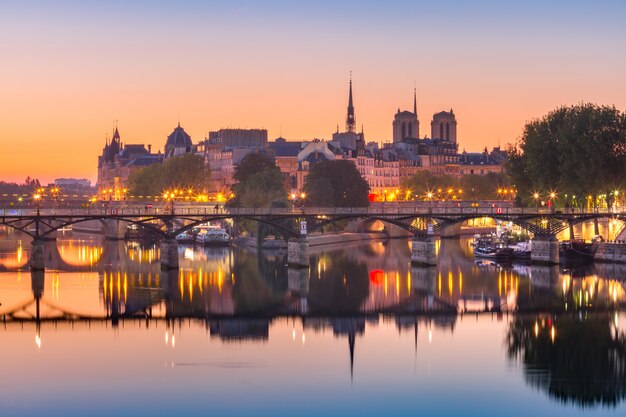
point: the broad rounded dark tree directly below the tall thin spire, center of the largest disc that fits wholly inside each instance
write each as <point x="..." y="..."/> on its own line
<point x="335" y="184"/>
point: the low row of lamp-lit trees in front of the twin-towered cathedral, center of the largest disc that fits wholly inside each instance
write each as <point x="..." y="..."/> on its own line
<point x="473" y="187"/>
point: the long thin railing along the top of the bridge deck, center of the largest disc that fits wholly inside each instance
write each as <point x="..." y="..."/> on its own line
<point x="291" y="212"/>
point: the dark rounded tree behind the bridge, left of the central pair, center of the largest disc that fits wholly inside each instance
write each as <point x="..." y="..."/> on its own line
<point x="259" y="183"/>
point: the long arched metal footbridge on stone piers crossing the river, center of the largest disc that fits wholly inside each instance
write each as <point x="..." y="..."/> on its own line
<point x="420" y="221"/>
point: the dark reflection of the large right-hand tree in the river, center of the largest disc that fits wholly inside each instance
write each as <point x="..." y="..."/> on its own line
<point x="579" y="359"/>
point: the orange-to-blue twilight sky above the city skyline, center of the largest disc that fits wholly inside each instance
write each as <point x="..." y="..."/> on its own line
<point x="71" y="69"/>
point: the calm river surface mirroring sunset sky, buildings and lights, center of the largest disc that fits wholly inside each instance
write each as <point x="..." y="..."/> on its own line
<point x="359" y="333"/>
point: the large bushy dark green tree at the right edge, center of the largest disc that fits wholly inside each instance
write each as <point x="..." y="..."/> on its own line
<point x="578" y="150"/>
